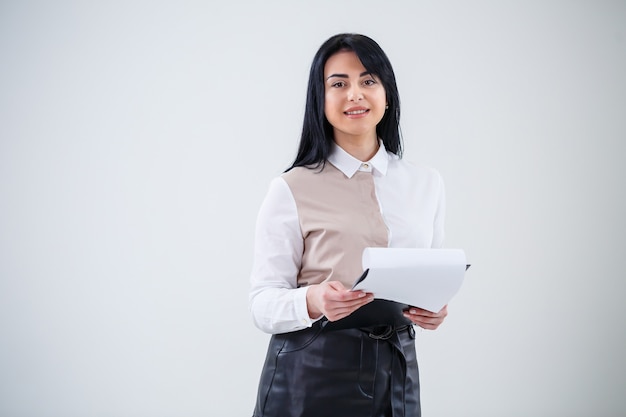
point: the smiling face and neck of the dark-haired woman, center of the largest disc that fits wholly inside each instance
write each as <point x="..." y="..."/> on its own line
<point x="355" y="100"/>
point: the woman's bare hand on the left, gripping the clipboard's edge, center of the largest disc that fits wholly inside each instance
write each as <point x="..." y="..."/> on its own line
<point x="334" y="301"/>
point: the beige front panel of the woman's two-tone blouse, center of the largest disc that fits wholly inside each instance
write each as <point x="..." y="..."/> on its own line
<point x="339" y="217"/>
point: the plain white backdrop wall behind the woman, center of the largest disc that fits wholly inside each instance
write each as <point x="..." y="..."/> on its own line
<point x="138" y="138"/>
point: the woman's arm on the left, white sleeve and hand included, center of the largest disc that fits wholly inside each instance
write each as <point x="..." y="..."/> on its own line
<point x="276" y="303"/>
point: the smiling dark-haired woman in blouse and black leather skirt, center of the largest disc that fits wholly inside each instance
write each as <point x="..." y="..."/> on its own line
<point x="347" y="189"/>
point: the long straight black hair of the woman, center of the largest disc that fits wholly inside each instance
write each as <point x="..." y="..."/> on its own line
<point x="317" y="132"/>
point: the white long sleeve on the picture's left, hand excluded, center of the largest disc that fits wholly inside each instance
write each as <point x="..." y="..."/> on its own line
<point x="276" y="303"/>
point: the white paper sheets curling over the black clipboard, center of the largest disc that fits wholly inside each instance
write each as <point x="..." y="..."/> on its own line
<point x="425" y="278"/>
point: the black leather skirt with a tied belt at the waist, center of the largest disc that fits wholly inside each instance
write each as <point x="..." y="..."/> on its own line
<point x="318" y="372"/>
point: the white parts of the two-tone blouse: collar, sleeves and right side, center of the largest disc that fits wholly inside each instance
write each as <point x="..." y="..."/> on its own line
<point x="411" y="200"/>
